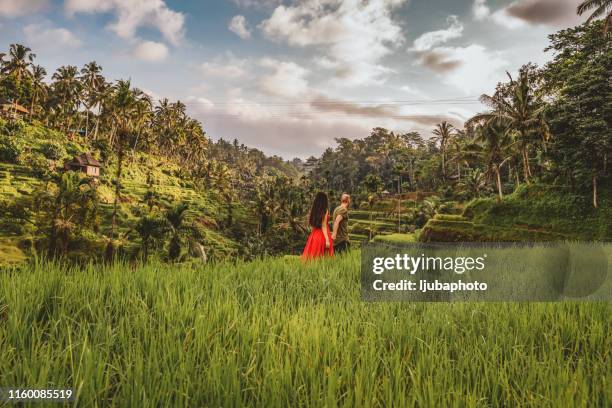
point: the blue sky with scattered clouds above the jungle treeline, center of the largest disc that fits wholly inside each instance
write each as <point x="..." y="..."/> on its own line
<point x="290" y="76"/>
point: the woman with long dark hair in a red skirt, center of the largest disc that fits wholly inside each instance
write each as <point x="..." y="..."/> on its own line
<point x="319" y="242"/>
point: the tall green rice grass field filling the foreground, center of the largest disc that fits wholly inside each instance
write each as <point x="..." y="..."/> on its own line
<point x="280" y="333"/>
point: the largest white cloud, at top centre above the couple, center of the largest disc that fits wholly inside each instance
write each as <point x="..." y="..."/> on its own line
<point x="354" y="35"/>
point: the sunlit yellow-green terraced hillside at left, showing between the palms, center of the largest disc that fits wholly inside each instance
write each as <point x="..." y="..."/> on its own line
<point x="32" y="155"/>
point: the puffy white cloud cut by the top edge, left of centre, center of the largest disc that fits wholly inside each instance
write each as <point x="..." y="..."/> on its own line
<point x="134" y="14"/>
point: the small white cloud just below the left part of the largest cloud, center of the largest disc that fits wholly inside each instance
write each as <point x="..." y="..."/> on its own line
<point x="287" y="80"/>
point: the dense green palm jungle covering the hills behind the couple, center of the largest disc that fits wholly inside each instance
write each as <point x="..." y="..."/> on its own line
<point x="535" y="161"/>
